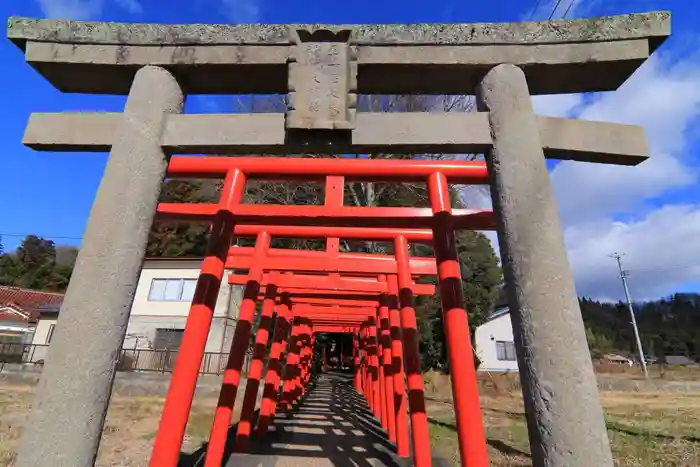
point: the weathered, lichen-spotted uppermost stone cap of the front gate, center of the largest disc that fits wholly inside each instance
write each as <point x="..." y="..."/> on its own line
<point x="655" y="26"/>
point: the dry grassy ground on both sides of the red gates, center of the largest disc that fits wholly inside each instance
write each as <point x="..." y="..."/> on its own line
<point x="647" y="428"/>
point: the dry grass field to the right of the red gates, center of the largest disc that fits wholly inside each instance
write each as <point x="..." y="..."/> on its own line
<point x="646" y="429"/>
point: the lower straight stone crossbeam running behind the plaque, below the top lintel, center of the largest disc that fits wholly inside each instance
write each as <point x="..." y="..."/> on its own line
<point x="397" y="133"/>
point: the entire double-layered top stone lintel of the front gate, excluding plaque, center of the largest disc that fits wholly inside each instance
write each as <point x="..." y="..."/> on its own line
<point x="563" y="56"/>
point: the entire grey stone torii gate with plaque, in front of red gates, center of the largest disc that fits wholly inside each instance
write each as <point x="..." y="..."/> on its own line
<point x="323" y="68"/>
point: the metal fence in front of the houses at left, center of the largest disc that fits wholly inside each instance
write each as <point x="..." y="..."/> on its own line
<point x="161" y="361"/>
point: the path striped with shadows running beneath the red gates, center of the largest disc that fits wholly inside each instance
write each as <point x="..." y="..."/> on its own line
<point x="332" y="426"/>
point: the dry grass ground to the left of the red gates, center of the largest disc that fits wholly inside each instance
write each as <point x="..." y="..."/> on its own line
<point x="129" y="429"/>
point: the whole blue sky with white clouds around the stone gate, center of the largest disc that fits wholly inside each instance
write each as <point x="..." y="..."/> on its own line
<point x="651" y="213"/>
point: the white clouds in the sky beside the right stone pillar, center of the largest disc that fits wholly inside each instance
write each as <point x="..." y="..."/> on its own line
<point x="663" y="97"/>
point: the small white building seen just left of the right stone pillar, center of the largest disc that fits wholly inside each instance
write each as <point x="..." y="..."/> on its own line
<point x="494" y="343"/>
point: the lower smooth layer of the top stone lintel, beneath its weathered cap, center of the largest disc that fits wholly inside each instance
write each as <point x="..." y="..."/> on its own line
<point x="244" y="69"/>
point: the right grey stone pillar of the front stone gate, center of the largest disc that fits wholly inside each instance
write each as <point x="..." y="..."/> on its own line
<point x="565" y="419"/>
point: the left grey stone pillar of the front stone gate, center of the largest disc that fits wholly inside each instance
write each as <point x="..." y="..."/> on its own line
<point x="71" y="402"/>
